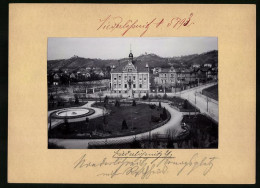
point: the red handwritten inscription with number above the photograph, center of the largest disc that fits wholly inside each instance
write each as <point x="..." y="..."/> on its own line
<point x="111" y="23"/>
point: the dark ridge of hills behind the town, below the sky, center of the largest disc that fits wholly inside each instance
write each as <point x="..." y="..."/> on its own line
<point x="75" y="63"/>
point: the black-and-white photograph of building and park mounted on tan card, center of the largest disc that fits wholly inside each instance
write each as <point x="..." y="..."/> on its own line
<point x="133" y="93"/>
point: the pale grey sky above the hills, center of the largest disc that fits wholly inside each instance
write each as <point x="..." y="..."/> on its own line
<point x="117" y="48"/>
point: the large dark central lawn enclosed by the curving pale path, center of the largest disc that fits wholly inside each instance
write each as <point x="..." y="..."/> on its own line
<point x="138" y="119"/>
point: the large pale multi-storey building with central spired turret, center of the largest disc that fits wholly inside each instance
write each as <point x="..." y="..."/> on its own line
<point x="130" y="77"/>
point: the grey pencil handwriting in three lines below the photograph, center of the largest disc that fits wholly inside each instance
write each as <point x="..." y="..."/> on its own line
<point x="143" y="164"/>
